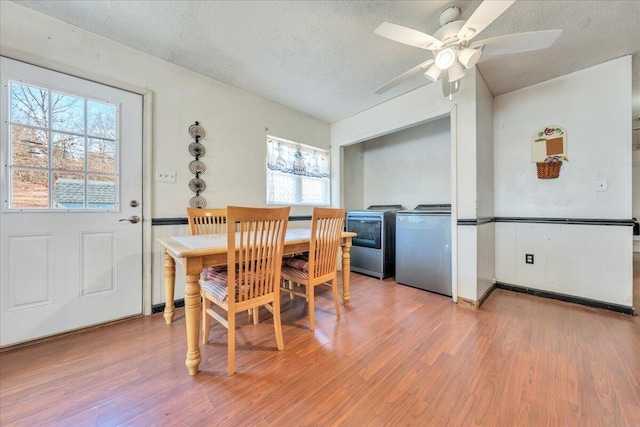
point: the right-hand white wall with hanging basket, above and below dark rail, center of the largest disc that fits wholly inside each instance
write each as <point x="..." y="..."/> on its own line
<point x="587" y="261"/>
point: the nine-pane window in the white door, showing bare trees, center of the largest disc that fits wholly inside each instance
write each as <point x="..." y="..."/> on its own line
<point x="62" y="151"/>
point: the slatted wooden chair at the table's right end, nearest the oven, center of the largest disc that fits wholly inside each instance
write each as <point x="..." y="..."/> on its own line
<point x="321" y="267"/>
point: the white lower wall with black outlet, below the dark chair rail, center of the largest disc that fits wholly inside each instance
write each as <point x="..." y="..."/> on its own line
<point x="593" y="262"/>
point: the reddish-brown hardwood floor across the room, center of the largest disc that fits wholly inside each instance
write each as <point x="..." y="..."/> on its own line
<point x="397" y="356"/>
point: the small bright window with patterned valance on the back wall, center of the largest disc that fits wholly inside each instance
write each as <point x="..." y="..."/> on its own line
<point x="297" y="174"/>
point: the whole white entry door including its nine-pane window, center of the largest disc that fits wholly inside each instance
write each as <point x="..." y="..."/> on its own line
<point x="71" y="153"/>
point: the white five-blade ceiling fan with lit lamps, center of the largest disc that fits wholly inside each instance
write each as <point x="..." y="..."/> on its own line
<point x="452" y="46"/>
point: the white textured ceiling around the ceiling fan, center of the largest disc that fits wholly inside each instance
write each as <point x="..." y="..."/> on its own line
<point x="322" y="57"/>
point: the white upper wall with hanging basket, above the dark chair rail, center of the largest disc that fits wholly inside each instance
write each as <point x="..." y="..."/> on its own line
<point x="596" y="117"/>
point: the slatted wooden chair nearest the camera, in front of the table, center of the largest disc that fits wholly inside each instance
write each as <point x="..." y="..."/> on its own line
<point x="254" y="261"/>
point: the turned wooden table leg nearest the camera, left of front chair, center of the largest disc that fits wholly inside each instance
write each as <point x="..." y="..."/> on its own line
<point x="192" y="319"/>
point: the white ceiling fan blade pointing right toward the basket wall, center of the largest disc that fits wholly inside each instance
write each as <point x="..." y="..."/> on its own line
<point x="516" y="43"/>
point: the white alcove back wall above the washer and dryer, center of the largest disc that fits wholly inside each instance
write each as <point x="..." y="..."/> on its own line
<point x="409" y="167"/>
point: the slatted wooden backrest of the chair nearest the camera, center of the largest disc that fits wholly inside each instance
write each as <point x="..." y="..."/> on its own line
<point x="256" y="250"/>
